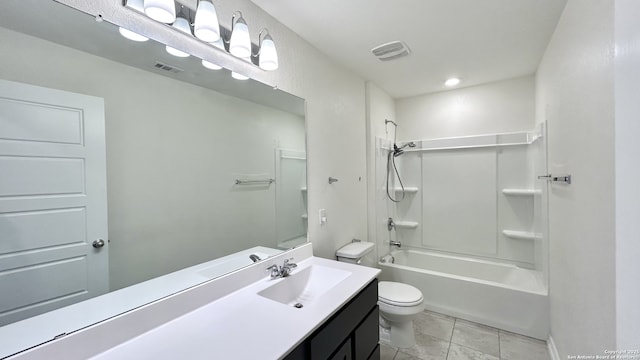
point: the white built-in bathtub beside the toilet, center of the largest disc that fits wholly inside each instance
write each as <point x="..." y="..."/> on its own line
<point x="501" y="295"/>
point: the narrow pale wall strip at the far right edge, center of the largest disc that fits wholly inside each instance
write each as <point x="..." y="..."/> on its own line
<point x="627" y="173"/>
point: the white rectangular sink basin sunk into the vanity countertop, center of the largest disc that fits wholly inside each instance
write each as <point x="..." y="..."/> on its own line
<point x="304" y="285"/>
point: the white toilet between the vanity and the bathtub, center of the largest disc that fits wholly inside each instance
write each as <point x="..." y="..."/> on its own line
<point x="399" y="303"/>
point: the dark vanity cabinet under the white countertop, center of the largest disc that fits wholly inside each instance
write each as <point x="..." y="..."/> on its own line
<point x="350" y="334"/>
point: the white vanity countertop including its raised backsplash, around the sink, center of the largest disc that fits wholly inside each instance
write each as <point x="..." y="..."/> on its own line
<point x="213" y="320"/>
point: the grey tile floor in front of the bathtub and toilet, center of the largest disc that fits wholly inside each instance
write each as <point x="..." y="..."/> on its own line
<point x="441" y="337"/>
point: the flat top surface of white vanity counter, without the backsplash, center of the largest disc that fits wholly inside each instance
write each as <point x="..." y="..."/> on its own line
<point x="243" y="324"/>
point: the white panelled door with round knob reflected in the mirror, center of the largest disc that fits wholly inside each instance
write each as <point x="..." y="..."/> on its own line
<point x="52" y="200"/>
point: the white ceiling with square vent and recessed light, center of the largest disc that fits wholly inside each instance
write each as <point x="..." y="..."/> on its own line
<point x="479" y="41"/>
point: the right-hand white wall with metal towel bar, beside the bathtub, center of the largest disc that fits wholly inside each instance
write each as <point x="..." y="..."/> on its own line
<point x="575" y="94"/>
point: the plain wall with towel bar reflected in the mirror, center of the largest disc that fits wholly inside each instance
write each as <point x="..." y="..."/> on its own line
<point x="173" y="152"/>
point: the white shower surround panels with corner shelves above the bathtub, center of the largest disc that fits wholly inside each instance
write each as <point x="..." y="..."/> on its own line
<point x="487" y="181"/>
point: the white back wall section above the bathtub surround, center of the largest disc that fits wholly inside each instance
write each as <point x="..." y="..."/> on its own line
<point x="504" y="106"/>
